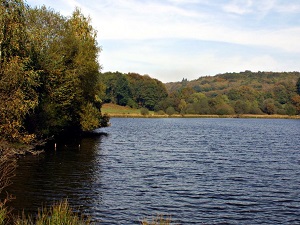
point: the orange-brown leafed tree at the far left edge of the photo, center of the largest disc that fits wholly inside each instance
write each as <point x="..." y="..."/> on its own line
<point x="18" y="80"/>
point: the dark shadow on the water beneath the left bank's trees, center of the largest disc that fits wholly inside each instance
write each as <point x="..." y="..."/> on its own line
<point x="67" y="170"/>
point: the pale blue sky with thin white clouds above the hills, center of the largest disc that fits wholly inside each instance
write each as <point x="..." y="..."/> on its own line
<point x="174" y="39"/>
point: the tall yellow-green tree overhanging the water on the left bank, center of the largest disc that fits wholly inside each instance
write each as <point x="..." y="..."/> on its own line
<point x="65" y="51"/>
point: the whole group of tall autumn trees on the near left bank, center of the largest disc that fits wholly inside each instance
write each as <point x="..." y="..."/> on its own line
<point x="49" y="73"/>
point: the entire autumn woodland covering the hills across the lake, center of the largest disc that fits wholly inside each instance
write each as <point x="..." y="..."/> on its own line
<point x="224" y="94"/>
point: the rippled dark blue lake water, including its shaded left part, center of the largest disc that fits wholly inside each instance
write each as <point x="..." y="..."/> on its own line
<point x="198" y="171"/>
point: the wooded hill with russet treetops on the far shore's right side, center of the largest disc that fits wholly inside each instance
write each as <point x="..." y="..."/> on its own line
<point x="235" y="93"/>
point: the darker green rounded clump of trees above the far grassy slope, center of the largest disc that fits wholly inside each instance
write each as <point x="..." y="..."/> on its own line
<point x="133" y="90"/>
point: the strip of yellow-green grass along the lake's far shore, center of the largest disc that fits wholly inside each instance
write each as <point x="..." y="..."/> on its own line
<point x="124" y="111"/>
